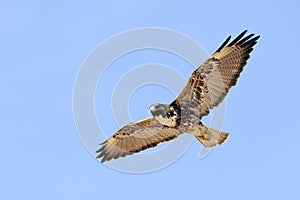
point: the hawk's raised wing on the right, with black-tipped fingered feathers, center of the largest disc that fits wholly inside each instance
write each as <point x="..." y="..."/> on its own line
<point x="209" y="84"/>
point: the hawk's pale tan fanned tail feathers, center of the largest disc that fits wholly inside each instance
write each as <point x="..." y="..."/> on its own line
<point x="210" y="137"/>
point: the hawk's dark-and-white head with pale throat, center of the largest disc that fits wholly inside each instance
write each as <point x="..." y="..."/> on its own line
<point x="168" y="115"/>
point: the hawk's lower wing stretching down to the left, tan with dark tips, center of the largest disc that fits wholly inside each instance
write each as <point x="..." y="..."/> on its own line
<point x="134" y="138"/>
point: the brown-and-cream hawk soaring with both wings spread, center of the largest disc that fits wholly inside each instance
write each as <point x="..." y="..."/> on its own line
<point x="206" y="88"/>
